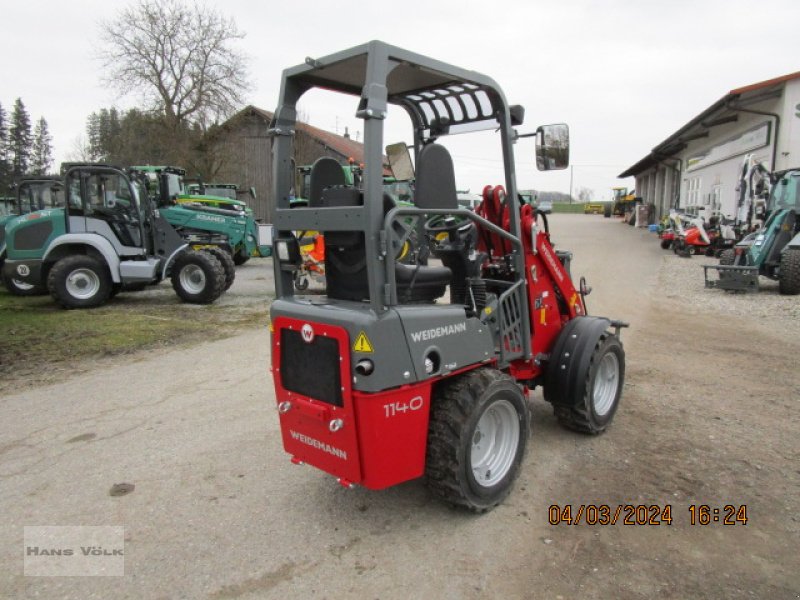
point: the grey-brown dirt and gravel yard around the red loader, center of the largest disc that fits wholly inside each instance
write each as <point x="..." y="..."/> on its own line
<point x="708" y="417"/>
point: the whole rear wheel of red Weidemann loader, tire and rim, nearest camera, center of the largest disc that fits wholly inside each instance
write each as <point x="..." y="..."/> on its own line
<point x="478" y="433"/>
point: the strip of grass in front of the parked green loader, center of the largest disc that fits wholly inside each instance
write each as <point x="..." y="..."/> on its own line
<point x="38" y="337"/>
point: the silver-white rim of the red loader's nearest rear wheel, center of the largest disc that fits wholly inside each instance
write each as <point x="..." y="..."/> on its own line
<point x="494" y="443"/>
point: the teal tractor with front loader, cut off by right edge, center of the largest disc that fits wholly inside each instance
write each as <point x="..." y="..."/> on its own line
<point x="773" y="251"/>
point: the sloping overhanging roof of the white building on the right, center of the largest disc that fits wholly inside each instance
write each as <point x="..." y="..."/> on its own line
<point x="721" y="112"/>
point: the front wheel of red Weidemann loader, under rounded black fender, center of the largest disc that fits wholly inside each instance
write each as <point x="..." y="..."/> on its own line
<point x="604" y="379"/>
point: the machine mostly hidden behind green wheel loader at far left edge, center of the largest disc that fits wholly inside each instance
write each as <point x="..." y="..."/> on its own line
<point x="32" y="194"/>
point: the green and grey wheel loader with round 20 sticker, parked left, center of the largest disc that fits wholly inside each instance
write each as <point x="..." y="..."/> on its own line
<point x="108" y="237"/>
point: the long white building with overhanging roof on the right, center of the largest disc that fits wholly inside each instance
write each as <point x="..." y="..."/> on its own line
<point x="697" y="168"/>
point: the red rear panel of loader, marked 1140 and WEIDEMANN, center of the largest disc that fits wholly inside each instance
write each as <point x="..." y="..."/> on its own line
<point x="373" y="439"/>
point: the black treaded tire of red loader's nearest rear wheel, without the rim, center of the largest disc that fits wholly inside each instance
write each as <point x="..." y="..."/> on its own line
<point x="457" y="407"/>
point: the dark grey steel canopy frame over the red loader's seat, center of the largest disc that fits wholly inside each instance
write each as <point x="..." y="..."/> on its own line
<point x="437" y="96"/>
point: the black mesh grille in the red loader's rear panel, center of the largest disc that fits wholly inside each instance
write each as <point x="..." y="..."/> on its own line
<point x="311" y="369"/>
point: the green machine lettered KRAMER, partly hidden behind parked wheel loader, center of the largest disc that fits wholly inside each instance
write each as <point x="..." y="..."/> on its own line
<point x="204" y="219"/>
